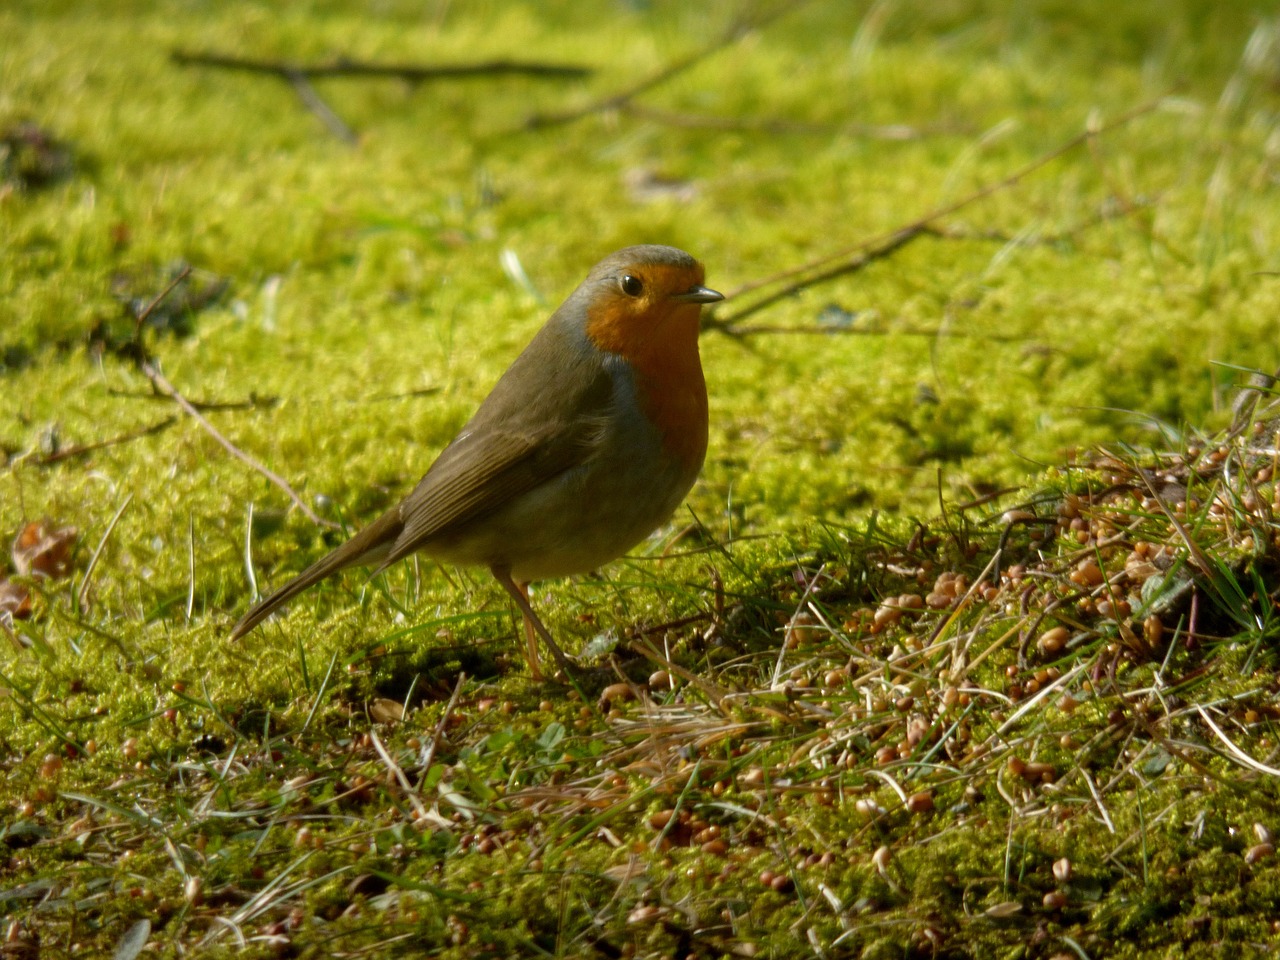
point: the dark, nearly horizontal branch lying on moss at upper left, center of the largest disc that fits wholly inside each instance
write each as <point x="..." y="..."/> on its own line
<point x="415" y="74"/>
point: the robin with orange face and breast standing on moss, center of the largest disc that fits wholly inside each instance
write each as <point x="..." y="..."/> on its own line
<point x="586" y="446"/>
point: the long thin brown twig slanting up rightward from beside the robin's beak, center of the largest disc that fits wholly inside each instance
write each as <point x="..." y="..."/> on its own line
<point x="854" y="259"/>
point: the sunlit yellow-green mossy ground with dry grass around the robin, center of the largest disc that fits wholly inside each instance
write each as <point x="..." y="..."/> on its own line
<point x="250" y="797"/>
